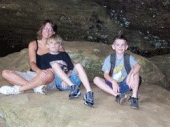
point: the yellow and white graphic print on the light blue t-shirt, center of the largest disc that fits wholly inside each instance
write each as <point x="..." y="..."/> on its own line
<point x="118" y="73"/>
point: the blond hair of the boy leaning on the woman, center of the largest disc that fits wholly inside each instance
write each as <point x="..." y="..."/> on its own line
<point x="55" y="38"/>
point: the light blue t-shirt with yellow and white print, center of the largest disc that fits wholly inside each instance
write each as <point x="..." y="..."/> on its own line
<point x="119" y="72"/>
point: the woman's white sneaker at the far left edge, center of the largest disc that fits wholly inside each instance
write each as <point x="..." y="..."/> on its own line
<point x="8" y="90"/>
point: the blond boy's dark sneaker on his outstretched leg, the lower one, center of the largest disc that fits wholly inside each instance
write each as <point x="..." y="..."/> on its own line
<point x="89" y="99"/>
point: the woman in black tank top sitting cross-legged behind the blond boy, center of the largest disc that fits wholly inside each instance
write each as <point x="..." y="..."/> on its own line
<point x="36" y="78"/>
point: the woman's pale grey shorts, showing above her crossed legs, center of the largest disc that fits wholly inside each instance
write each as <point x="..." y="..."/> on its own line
<point x="29" y="75"/>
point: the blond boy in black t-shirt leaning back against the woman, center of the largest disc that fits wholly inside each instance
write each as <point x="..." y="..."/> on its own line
<point x="67" y="75"/>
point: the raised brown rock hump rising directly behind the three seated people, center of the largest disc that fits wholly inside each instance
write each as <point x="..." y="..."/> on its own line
<point x="91" y="56"/>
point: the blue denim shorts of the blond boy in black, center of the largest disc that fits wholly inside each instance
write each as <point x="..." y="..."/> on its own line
<point x="74" y="79"/>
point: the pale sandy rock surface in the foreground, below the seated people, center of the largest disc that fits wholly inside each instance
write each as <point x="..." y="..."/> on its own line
<point x="56" y="110"/>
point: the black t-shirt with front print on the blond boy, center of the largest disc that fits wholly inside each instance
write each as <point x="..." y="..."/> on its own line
<point x="63" y="59"/>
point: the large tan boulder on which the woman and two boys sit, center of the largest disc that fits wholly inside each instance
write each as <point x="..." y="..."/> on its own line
<point x="55" y="109"/>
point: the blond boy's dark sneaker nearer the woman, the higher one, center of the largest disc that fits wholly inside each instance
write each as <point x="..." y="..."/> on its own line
<point x="75" y="92"/>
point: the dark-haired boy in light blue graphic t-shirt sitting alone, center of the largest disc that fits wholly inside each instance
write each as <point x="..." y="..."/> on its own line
<point x="120" y="81"/>
